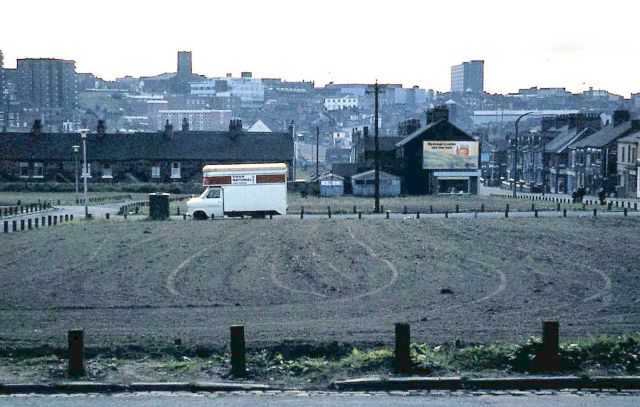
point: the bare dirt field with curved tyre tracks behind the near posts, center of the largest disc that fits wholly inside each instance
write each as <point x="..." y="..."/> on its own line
<point x="132" y="283"/>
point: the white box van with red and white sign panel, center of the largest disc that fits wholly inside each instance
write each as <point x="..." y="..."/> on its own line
<point x="253" y="190"/>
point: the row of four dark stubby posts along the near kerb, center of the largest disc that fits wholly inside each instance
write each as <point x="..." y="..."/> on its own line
<point x="546" y="359"/>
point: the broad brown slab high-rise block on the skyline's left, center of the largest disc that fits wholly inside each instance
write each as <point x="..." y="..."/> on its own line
<point x="47" y="83"/>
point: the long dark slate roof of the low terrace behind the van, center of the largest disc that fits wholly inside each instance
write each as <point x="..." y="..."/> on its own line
<point x="182" y="146"/>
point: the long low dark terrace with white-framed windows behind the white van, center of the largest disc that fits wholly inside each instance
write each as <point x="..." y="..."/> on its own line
<point x="164" y="156"/>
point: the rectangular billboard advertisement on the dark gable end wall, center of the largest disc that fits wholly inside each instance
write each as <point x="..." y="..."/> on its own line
<point x="445" y="155"/>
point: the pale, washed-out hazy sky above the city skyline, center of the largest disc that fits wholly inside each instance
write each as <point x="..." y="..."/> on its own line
<point x="564" y="43"/>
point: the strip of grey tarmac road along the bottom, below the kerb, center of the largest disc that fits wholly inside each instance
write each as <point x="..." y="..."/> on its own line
<point x="301" y="398"/>
